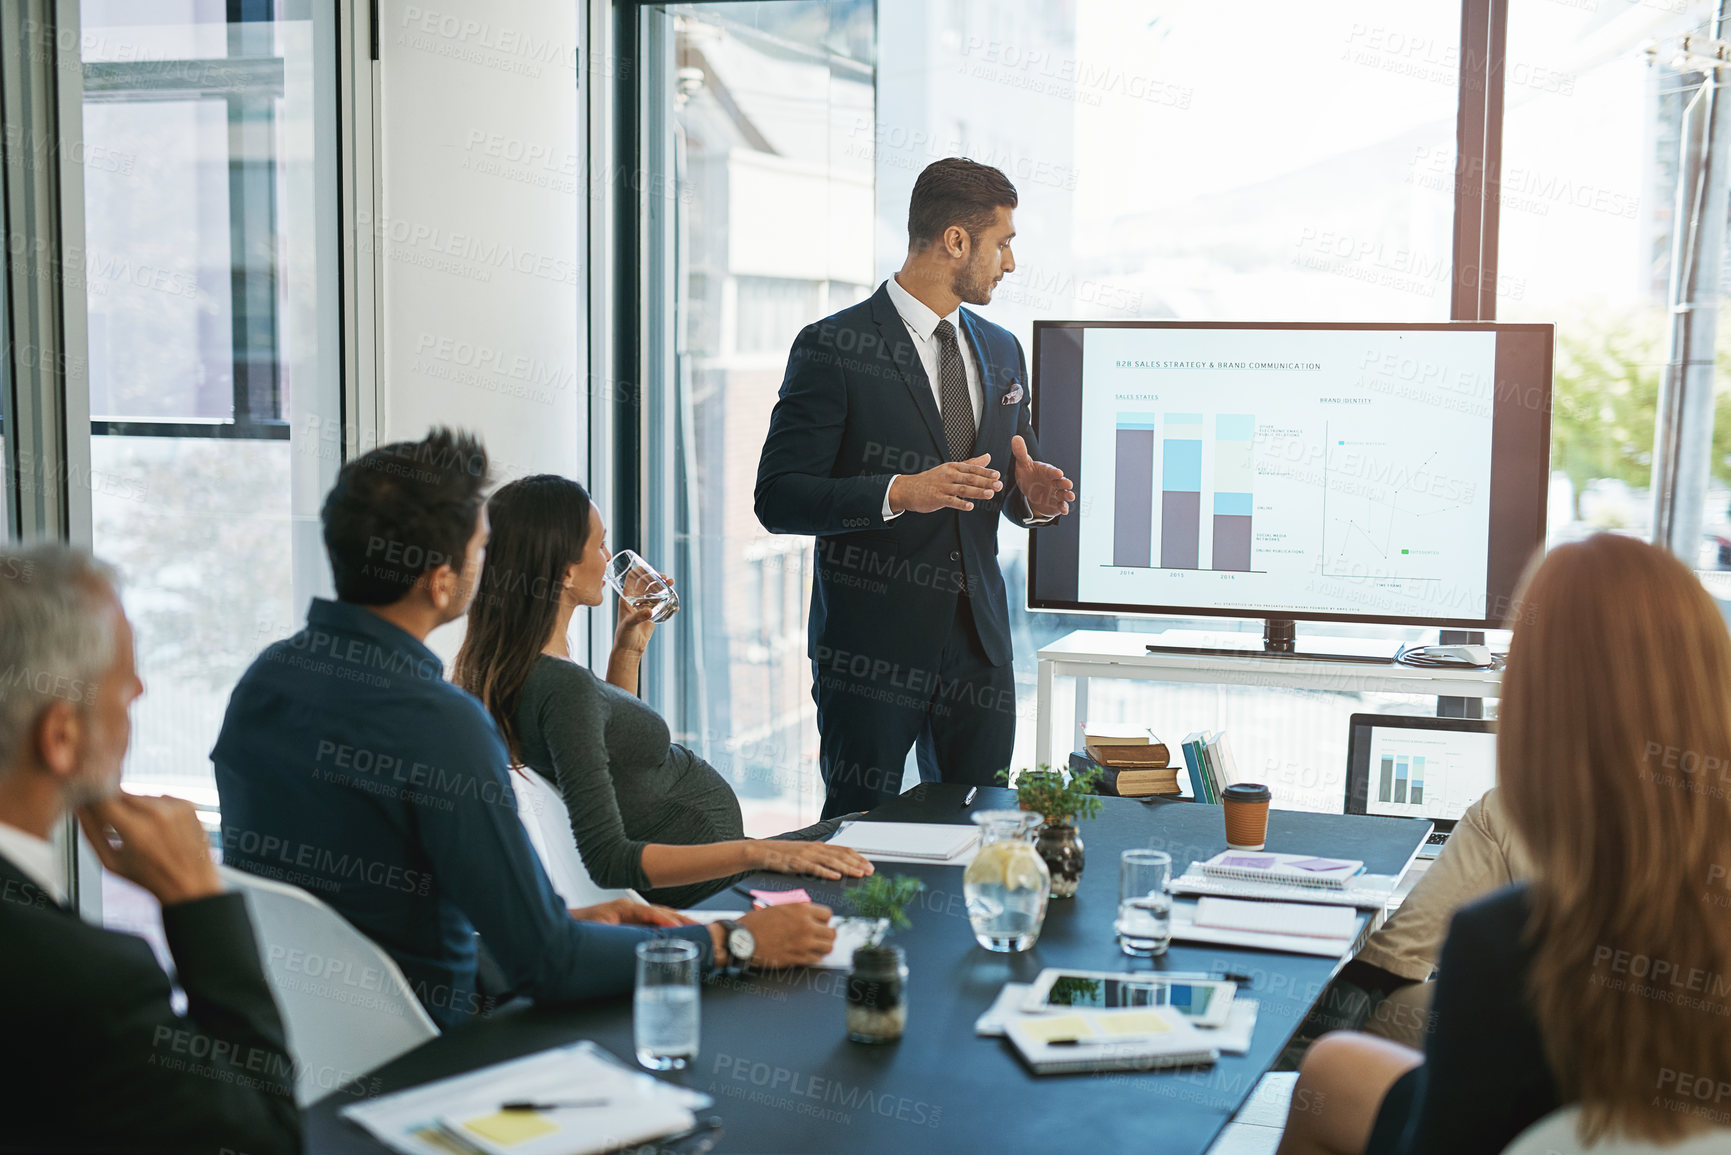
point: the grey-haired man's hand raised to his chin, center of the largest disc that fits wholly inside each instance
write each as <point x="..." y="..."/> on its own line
<point x="153" y="842"/>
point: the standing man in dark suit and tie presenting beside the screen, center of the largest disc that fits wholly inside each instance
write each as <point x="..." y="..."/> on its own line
<point x="903" y="432"/>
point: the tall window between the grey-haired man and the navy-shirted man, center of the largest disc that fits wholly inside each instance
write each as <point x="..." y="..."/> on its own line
<point x="214" y="389"/>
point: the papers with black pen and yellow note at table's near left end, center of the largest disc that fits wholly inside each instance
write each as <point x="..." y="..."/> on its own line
<point x="465" y="1113"/>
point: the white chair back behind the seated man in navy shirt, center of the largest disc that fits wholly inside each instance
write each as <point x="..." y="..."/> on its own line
<point x="345" y="1005"/>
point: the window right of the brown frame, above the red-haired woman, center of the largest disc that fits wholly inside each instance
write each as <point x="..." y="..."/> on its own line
<point x="1588" y="195"/>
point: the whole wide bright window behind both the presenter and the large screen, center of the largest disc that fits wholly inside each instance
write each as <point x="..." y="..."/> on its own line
<point x="1173" y="162"/>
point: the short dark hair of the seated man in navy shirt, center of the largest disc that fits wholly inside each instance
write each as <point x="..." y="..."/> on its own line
<point x="401" y="512"/>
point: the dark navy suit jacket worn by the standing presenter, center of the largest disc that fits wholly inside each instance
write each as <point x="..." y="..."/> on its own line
<point x="856" y="410"/>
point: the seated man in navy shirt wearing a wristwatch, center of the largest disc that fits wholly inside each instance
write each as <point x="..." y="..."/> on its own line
<point x="349" y="766"/>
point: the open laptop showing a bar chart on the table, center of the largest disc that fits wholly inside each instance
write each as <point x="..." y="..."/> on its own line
<point x="1420" y="768"/>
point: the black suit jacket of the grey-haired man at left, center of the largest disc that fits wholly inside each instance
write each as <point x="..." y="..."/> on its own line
<point x="100" y="1062"/>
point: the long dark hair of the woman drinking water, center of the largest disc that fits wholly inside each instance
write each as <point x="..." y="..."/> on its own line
<point x="539" y="529"/>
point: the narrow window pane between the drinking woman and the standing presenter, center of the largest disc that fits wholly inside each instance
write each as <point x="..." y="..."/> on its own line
<point x="768" y="228"/>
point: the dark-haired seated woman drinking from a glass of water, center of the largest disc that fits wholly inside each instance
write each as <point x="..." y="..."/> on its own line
<point x="647" y="811"/>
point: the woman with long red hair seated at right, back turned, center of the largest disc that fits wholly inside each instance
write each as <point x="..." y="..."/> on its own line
<point x="1616" y="700"/>
